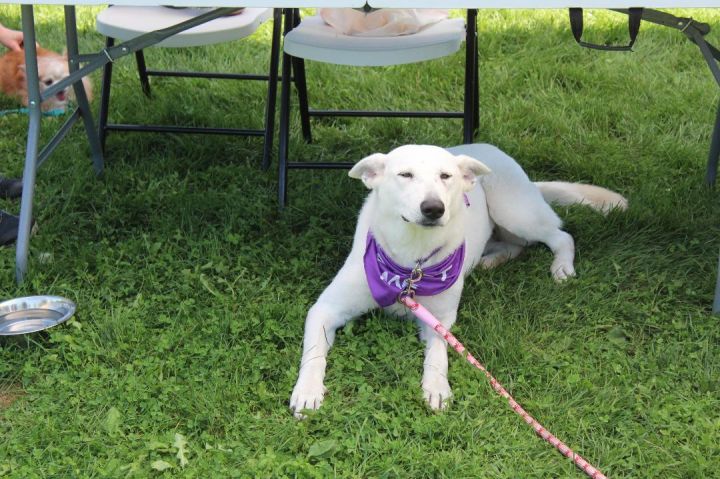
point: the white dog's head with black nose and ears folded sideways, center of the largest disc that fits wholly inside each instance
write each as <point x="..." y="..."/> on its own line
<point x="419" y="184"/>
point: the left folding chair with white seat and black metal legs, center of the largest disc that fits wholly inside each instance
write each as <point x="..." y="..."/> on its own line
<point x="126" y="23"/>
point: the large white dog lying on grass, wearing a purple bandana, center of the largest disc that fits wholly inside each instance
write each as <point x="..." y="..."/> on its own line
<point x="428" y="212"/>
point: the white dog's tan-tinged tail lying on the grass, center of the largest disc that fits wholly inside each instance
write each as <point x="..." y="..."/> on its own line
<point x="597" y="198"/>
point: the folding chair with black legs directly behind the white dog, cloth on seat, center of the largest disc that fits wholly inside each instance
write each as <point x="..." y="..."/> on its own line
<point x="313" y="39"/>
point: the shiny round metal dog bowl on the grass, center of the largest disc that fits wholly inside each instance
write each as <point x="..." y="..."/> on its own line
<point x="33" y="313"/>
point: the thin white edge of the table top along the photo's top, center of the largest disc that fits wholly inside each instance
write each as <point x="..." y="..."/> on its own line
<point x="495" y="4"/>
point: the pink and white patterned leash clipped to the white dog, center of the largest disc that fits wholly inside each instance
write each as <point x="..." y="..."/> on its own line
<point x="426" y="317"/>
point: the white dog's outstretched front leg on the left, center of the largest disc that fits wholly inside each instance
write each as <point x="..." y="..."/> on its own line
<point x="341" y="301"/>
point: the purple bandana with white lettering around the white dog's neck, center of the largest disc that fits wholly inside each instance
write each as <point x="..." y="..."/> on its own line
<point x="388" y="279"/>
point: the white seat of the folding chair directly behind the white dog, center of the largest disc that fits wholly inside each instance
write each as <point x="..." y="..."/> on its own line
<point x="315" y="40"/>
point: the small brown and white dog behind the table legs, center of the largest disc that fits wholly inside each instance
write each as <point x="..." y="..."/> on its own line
<point x="52" y="67"/>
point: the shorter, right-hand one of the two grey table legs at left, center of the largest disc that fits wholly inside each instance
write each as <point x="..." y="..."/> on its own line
<point x="79" y="89"/>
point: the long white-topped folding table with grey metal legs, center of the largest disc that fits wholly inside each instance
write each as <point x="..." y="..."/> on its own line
<point x="83" y="64"/>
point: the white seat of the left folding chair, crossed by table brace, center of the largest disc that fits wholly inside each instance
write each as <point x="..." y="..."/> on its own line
<point x="126" y="23"/>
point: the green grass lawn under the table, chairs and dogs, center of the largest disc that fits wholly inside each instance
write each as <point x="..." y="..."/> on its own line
<point x="192" y="288"/>
